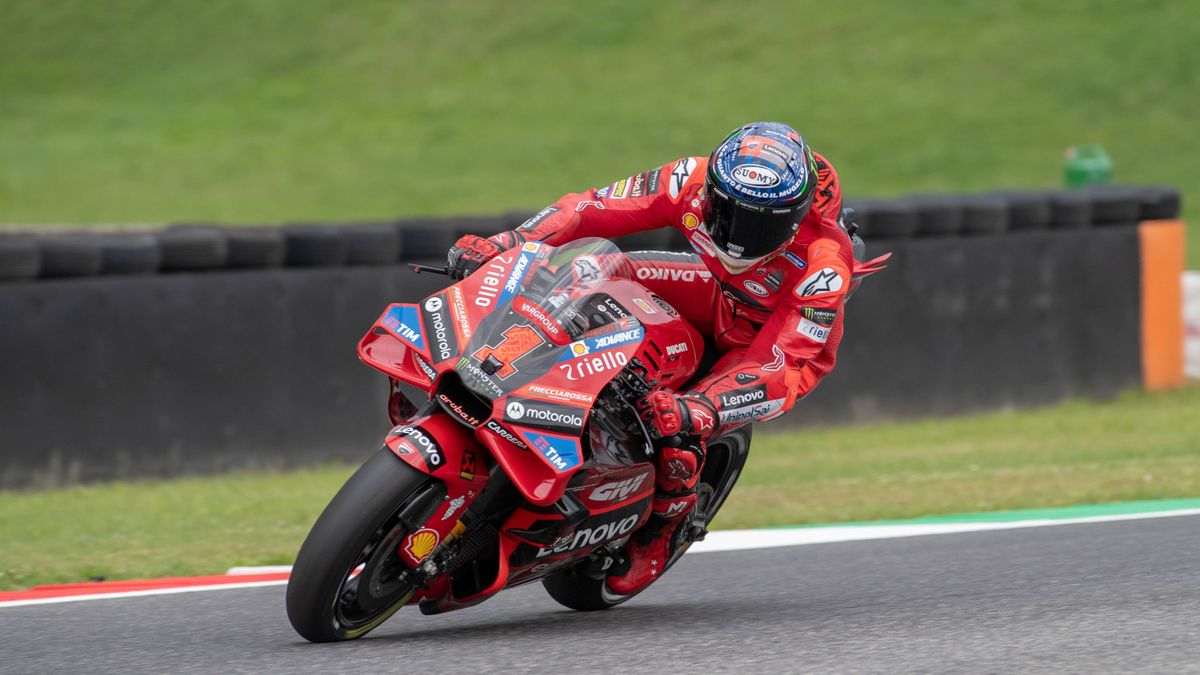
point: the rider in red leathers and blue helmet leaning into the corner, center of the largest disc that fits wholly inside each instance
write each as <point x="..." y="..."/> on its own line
<point x="767" y="285"/>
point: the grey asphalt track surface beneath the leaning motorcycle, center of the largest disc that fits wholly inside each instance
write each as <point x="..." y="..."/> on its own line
<point x="1075" y="599"/>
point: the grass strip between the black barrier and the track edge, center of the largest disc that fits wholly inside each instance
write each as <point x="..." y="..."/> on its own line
<point x="1141" y="447"/>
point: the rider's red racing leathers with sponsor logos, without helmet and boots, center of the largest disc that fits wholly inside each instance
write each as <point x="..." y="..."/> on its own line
<point x="777" y="326"/>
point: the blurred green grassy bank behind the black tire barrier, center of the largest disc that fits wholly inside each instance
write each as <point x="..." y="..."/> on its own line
<point x="280" y="110"/>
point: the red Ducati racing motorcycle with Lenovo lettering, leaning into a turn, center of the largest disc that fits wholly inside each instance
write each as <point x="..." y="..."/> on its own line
<point x="527" y="461"/>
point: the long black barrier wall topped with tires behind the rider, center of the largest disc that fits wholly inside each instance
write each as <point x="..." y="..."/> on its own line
<point x="200" y="349"/>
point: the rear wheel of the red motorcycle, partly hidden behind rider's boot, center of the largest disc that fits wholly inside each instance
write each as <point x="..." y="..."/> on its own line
<point x="577" y="589"/>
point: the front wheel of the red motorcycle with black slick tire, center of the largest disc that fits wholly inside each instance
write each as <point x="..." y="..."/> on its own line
<point x="349" y="577"/>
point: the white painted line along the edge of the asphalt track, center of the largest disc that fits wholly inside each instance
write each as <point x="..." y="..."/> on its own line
<point x="716" y="542"/>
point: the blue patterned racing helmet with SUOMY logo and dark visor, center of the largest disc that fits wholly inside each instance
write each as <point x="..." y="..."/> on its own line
<point x="760" y="187"/>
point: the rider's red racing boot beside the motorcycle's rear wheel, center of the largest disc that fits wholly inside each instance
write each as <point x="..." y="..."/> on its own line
<point x="650" y="548"/>
